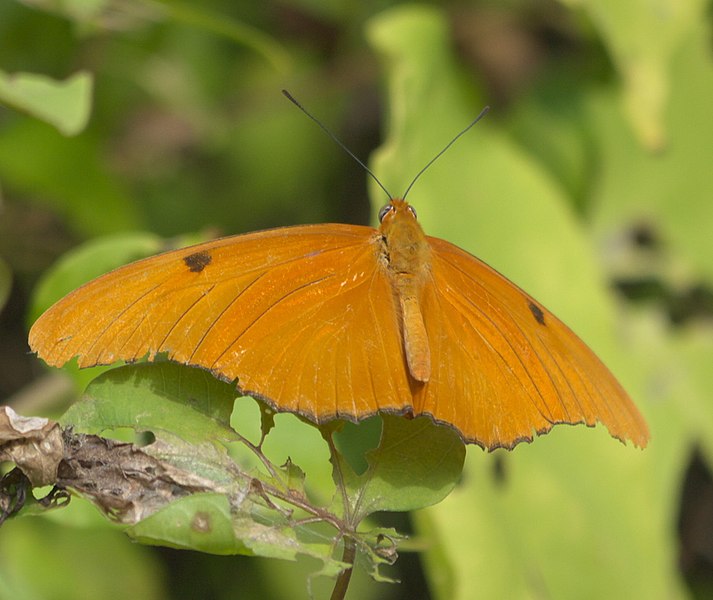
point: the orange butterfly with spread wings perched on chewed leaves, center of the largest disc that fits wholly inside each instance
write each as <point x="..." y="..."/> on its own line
<point x="344" y="321"/>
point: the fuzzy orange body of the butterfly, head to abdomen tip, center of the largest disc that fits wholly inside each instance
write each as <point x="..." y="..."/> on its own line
<point x="407" y="258"/>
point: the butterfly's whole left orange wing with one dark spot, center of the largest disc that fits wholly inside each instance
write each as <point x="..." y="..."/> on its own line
<point x="302" y="317"/>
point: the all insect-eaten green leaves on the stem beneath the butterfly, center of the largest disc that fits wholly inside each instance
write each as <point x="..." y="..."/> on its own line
<point x="263" y="510"/>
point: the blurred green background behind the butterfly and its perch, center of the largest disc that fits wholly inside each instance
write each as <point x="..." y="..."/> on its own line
<point x="589" y="184"/>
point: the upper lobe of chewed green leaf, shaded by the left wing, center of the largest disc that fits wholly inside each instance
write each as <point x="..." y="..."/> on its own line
<point x="188" y="411"/>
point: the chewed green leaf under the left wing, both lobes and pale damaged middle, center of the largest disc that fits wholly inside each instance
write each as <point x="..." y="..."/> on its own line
<point x="189" y="413"/>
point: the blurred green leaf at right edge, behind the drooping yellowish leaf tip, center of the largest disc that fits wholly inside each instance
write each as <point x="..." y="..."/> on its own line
<point x="668" y="192"/>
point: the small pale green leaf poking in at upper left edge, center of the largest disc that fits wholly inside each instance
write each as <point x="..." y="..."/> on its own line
<point x="64" y="104"/>
